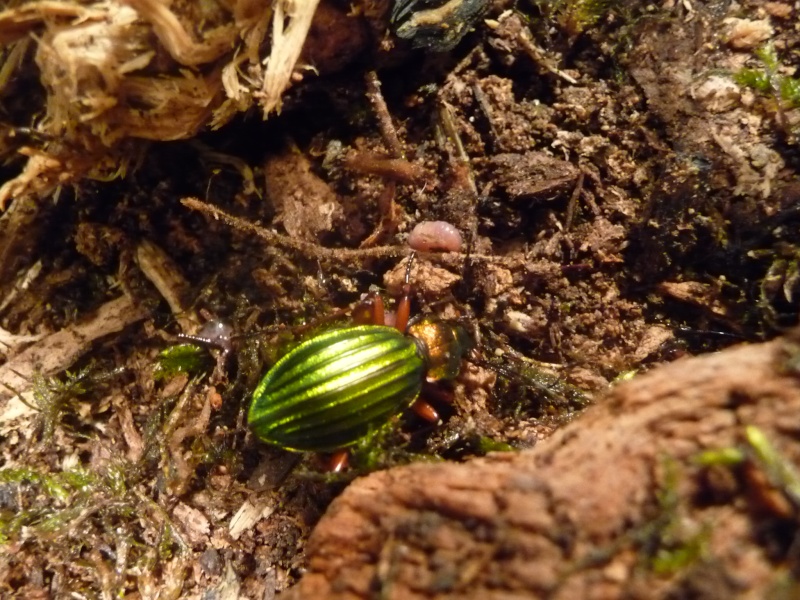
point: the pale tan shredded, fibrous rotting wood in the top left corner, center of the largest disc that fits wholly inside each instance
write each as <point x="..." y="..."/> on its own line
<point x="122" y="71"/>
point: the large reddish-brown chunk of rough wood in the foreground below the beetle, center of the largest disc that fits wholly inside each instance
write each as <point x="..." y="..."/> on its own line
<point x="522" y="525"/>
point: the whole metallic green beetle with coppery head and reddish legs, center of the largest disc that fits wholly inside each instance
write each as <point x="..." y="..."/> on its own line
<point x="335" y="389"/>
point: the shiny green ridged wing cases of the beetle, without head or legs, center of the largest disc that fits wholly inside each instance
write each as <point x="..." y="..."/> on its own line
<point x="336" y="388"/>
